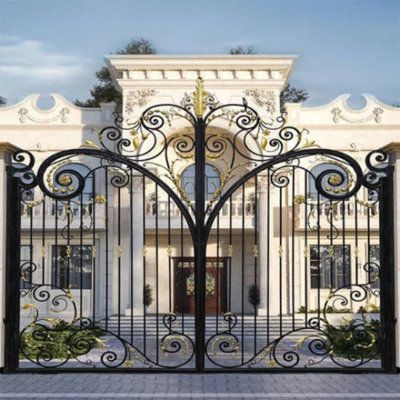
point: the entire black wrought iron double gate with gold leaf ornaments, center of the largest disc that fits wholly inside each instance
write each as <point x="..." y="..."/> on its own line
<point x="200" y="237"/>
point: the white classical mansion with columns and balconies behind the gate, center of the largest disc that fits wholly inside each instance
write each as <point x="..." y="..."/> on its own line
<point x="111" y="241"/>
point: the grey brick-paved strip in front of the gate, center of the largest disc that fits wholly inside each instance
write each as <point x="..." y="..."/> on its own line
<point x="200" y="386"/>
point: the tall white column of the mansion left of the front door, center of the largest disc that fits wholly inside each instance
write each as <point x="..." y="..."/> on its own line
<point x="134" y="274"/>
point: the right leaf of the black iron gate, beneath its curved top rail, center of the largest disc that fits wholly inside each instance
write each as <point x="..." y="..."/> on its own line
<point x="304" y="270"/>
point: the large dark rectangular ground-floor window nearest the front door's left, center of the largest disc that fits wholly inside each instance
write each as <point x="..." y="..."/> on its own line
<point x="72" y="266"/>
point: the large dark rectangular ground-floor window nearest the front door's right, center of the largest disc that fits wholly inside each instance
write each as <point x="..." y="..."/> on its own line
<point x="330" y="267"/>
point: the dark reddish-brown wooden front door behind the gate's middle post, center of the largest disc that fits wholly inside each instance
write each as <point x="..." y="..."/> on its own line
<point x="215" y="285"/>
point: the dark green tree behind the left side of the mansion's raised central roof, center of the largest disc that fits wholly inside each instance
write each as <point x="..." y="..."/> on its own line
<point x="104" y="91"/>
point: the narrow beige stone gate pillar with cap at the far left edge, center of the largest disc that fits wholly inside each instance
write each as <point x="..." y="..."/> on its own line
<point x="6" y="150"/>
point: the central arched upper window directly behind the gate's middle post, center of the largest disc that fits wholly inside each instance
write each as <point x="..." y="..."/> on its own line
<point x="213" y="181"/>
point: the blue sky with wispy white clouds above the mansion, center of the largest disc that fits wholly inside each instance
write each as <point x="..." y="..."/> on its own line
<point x="344" y="46"/>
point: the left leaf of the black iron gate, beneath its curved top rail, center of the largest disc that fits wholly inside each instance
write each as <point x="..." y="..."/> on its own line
<point x="97" y="283"/>
